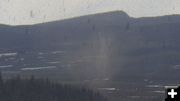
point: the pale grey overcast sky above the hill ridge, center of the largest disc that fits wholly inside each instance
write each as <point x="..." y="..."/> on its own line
<point x="22" y="12"/>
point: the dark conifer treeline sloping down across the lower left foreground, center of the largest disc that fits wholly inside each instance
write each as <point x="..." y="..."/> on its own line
<point x="32" y="89"/>
